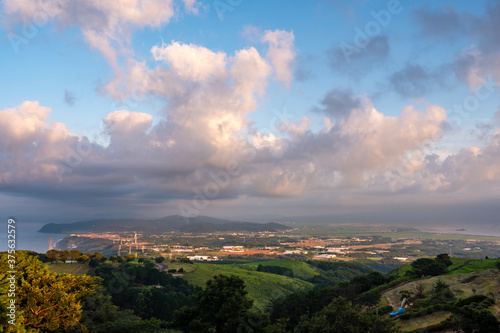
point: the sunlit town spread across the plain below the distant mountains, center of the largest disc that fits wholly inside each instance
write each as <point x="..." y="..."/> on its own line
<point x="391" y="246"/>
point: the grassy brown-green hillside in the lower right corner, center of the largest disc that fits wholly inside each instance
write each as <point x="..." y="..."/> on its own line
<point x="465" y="278"/>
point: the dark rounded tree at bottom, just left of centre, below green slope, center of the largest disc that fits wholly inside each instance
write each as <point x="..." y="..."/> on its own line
<point x="223" y="306"/>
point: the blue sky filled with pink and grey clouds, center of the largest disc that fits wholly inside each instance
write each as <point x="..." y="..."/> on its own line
<point x="327" y="110"/>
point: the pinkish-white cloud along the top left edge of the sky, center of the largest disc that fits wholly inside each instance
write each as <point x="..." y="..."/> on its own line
<point x="106" y="26"/>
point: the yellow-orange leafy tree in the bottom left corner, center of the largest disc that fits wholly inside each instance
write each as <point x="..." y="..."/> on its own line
<point x="46" y="301"/>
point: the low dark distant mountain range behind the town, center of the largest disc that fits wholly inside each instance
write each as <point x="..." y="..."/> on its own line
<point x="199" y="224"/>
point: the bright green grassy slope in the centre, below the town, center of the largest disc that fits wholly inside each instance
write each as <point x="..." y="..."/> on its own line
<point x="261" y="287"/>
